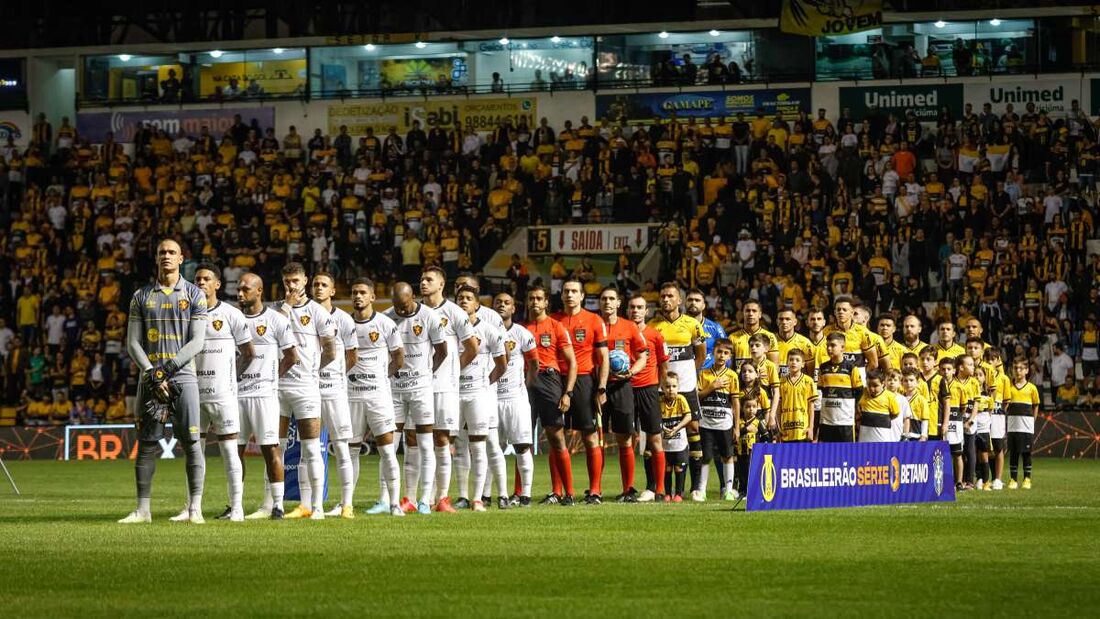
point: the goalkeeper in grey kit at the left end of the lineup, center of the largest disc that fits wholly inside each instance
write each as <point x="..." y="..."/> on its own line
<point x="167" y="330"/>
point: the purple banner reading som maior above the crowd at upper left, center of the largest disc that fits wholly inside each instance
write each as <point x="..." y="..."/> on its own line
<point x="125" y="124"/>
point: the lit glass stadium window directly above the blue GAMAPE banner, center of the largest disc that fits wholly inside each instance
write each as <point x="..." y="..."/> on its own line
<point x="676" y="59"/>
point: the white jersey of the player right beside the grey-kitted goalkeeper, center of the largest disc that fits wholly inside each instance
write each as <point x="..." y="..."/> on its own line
<point x="216" y="366"/>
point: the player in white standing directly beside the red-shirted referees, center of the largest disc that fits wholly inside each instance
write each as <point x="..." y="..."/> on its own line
<point x="514" y="405"/>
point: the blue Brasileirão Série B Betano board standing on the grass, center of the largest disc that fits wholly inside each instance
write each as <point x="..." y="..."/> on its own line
<point x="807" y="477"/>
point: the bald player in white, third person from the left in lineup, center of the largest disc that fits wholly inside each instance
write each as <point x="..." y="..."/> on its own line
<point x="258" y="389"/>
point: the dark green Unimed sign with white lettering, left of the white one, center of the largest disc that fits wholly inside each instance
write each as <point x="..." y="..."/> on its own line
<point x="926" y="101"/>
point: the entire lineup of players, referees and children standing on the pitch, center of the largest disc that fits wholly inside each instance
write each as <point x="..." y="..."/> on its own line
<point x="457" y="377"/>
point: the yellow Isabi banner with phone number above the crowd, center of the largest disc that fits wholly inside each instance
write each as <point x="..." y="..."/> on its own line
<point x="483" y="115"/>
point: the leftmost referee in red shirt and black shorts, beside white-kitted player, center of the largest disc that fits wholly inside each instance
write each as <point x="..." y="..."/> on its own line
<point x="551" y="394"/>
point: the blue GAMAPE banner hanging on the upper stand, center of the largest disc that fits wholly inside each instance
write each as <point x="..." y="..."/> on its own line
<point x="639" y="108"/>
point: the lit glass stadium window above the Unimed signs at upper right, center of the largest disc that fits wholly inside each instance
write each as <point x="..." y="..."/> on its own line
<point x="929" y="49"/>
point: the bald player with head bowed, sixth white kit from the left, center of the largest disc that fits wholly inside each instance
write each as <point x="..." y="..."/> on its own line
<point x="426" y="348"/>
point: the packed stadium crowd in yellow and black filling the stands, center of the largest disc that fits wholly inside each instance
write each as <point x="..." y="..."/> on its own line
<point x="984" y="218"/>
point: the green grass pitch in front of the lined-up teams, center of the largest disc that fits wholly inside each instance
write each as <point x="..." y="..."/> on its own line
<point x="1020" y="554"/>
